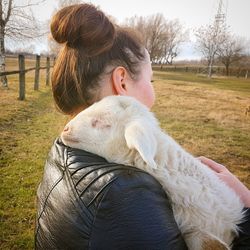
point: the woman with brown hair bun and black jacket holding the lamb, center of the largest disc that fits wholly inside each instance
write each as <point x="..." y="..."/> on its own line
<point x="84" y="202"/>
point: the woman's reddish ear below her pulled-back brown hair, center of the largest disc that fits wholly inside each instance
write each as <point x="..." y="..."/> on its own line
<point x="120" y="80"/>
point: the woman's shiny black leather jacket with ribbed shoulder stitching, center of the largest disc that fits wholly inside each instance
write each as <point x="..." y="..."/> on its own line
<point x="84" y="202"/>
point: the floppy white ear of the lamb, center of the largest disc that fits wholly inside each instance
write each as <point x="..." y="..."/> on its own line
<point x="141" y="139"/>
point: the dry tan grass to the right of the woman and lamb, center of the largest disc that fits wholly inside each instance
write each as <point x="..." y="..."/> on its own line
<point x="207" y="121"/>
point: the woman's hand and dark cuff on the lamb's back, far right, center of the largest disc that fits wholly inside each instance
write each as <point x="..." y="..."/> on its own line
<point x="242" y="242"/>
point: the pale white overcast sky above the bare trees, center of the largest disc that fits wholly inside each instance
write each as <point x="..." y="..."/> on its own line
<point x="191" y="13"/>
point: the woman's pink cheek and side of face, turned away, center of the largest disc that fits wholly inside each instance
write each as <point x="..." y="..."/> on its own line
<point x="142" y="88"/>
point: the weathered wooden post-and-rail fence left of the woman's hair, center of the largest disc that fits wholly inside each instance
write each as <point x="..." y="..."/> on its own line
<point x="22" y="71"/>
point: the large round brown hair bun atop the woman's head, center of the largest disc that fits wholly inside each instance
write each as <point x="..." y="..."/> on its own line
<point x="83" y="26"/>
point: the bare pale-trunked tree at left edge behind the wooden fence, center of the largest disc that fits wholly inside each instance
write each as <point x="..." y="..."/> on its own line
<point x="16" y="23"/>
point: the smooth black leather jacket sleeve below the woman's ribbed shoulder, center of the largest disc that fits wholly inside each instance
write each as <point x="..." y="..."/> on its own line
<point x="136" y="214"/>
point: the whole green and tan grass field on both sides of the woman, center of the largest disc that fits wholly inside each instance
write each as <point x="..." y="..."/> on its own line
<point x="207" y="117"/>
